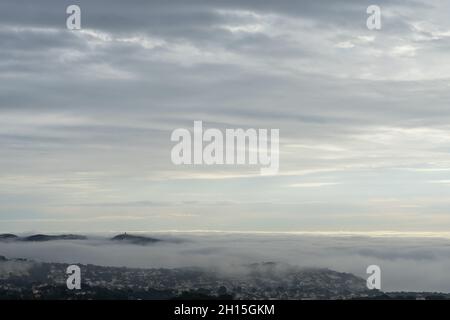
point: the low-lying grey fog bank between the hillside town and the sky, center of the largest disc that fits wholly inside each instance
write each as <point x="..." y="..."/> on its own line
<point x="413" y="264"/>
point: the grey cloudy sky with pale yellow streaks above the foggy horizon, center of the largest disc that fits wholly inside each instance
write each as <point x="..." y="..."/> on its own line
<point x="86" y="115"/>
